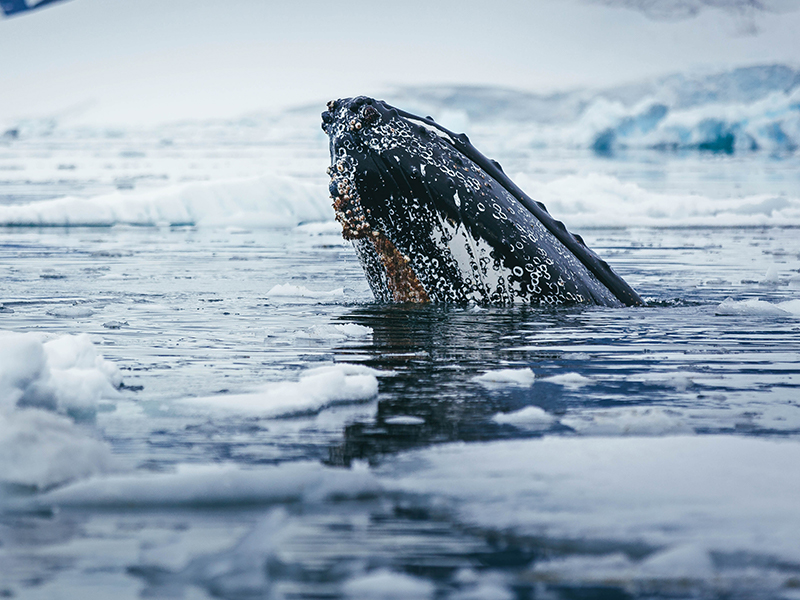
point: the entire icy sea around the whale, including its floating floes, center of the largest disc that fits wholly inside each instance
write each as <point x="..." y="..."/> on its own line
<point x="200" y="398"/>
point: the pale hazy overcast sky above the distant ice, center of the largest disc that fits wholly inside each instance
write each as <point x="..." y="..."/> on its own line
<point x="143" y="61"/>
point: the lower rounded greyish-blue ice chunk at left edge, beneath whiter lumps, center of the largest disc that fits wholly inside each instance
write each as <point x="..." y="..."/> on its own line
<point x="42" y="449"/>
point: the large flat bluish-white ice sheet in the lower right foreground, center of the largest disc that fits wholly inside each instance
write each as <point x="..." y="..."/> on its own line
<point x="674" y="494"/>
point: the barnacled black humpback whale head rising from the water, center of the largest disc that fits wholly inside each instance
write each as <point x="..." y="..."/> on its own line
<point x="432" y="219"/>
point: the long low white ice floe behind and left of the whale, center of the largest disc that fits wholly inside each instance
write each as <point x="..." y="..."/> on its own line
<point x="267" y="201"/>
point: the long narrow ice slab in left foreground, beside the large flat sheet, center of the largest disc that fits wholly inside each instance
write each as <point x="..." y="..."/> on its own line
<point x="216" y="485"/>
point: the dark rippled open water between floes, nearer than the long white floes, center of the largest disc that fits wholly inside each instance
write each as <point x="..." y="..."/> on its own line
<point x="188" y="312"/>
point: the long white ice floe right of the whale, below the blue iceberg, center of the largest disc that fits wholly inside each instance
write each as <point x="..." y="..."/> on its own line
<point x="598" y="200"/>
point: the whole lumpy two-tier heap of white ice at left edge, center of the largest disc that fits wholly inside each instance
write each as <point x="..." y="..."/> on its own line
<point x="40" y="374"/>
